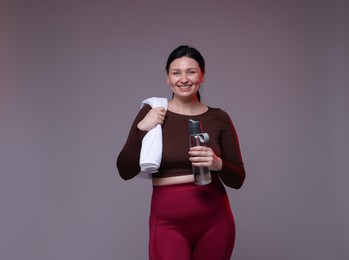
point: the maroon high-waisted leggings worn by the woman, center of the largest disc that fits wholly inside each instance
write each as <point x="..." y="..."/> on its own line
<point x="188" y="221"/>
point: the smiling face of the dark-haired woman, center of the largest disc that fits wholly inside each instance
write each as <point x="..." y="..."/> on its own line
<point x="185" y="77"/>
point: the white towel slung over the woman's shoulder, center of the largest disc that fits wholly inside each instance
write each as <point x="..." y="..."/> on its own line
<point x="151" y="150"/>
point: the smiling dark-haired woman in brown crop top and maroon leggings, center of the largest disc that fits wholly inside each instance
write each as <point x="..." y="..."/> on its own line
<point x="187" y="221"/>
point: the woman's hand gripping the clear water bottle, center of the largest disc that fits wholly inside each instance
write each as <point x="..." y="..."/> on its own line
<point x="205" y="157"/>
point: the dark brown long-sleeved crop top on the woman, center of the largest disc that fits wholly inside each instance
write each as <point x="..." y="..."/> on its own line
<point x="175" y="157"/>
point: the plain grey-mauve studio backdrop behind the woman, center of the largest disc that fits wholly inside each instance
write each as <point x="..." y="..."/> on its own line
<point x="73" y="74"/>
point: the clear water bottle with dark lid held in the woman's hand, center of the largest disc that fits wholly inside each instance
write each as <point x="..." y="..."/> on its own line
<point x="202" y="175"/>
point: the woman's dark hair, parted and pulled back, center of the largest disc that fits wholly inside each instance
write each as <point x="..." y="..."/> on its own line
<point x="186" y="51"/>
